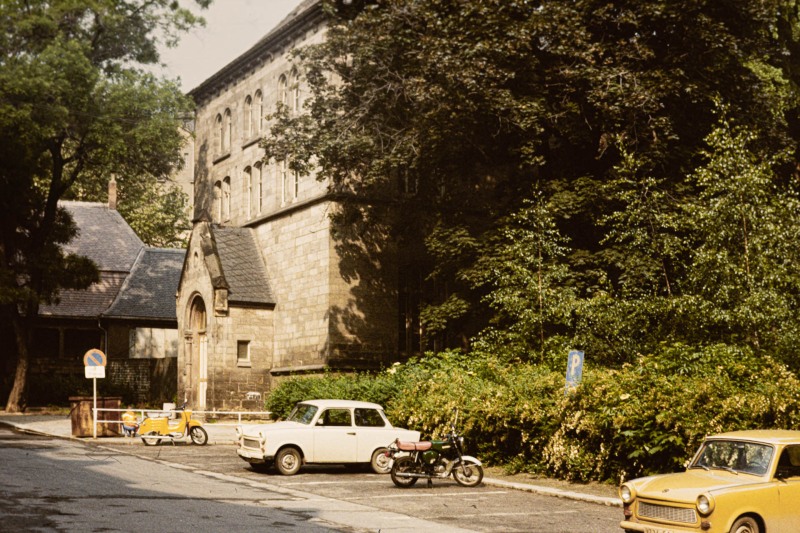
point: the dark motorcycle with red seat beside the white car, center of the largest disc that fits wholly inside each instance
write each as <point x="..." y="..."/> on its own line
<point x="434" y="459"/>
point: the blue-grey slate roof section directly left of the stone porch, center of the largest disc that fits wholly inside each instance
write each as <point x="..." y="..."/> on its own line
<point x="149" y="291"/>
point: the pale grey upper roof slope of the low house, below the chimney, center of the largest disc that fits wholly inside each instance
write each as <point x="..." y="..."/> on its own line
<point x="104" y="236"/>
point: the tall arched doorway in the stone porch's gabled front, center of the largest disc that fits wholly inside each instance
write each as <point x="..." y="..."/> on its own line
<point x="197" y="352"/>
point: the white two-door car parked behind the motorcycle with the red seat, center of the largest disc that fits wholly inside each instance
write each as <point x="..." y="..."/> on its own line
<point x="323" y="432"/>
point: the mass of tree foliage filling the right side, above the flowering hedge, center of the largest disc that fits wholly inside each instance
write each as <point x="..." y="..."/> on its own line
<point x="604" y="175"/>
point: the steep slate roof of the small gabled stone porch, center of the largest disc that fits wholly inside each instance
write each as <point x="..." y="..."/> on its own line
<point x="242" y="266"/>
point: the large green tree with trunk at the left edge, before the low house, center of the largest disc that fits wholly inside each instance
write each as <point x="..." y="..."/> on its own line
<point x="76" y="106"/>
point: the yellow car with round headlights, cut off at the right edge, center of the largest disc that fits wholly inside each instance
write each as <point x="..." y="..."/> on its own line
<point x="738" y="482"/>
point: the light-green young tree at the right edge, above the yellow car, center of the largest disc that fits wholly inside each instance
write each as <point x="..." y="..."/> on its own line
<point x="744" y="262"/>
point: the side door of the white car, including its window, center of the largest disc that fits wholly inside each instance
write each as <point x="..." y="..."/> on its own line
<point x="334" y="437"/>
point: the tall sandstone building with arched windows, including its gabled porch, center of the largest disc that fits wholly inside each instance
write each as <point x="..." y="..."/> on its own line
<point x="266" y="291"/>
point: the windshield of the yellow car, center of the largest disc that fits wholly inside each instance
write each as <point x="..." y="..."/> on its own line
<point x="734" y="456"/>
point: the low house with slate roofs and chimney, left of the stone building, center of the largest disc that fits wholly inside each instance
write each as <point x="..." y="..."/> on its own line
<point x="129" y="313"/>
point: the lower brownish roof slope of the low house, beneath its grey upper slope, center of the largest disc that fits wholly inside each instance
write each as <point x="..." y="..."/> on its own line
<point x="88" y="303"/>
